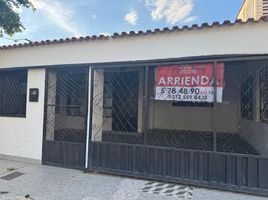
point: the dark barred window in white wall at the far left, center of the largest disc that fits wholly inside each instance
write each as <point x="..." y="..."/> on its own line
<point x="13" y="93"/>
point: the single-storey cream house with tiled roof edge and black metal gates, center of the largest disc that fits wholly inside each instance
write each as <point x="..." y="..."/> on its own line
<point x="187" y="105"/>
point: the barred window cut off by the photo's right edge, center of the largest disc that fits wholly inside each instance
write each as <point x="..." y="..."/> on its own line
<point x="264" y="95"/>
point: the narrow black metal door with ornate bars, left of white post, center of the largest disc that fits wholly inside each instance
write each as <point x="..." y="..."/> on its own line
<point x="65" y="117"/>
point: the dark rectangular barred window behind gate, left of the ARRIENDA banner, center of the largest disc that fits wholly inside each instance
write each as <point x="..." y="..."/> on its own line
<point x="122" y="88"/>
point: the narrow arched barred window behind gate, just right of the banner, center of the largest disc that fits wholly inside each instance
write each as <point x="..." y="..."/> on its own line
<point x="247" y="98"/>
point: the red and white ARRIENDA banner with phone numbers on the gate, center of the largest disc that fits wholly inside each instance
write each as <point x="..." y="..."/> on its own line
<point x="193" y="82"/>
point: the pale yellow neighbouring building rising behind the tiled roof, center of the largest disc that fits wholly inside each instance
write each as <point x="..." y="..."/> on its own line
<point x="253" y="9"/>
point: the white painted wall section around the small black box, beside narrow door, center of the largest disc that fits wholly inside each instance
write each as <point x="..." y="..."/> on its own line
<point x="22" y="137"/>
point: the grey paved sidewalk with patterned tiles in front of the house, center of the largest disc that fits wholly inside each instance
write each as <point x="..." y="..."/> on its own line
<point x="48" y="183"/>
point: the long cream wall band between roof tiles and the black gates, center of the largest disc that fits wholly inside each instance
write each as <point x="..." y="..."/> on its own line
<point x="188" y="43"/>
